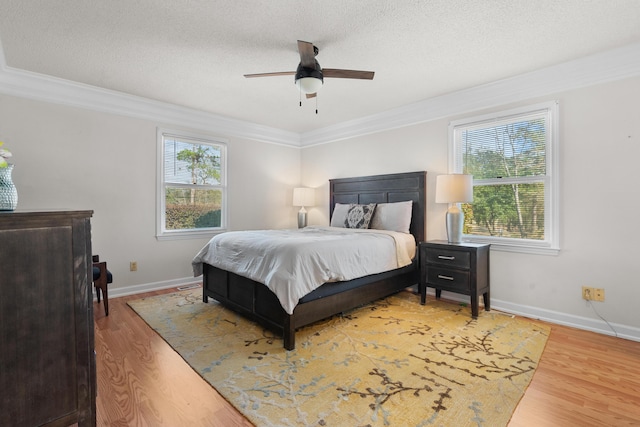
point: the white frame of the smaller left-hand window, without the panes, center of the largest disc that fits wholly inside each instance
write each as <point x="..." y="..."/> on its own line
<point x="161" y="232"/>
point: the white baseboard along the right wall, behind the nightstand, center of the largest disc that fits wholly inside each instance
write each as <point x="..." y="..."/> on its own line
<point x="556" y="317"/>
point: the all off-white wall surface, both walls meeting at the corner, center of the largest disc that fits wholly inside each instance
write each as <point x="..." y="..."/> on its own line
<point x="77" y="158"/>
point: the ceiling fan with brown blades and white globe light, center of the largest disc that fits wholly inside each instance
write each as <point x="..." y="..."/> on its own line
<point x="309" y="76"/>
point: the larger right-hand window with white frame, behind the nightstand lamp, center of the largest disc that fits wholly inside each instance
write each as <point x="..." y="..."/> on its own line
<point x="512" y="156"/>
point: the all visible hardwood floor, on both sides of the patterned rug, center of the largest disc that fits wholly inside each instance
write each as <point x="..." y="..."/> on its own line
<point x="583" y="379"/>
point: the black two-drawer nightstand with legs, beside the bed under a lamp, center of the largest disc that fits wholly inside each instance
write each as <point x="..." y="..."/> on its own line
<point x="462" y="268"/>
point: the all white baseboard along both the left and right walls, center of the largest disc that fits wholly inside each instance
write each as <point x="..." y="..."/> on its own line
<point x="556" y="317"/>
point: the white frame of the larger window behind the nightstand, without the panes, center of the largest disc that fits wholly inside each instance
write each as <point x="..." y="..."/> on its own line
<point x="551" y="243"/>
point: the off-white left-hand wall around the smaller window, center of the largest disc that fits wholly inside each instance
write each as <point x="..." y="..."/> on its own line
<point x="70" y="158"/>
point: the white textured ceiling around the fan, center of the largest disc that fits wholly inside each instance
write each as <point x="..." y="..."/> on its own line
<point x="194" y="52"/>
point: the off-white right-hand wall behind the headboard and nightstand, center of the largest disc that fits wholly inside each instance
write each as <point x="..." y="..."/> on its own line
<point x="600" y="201"/>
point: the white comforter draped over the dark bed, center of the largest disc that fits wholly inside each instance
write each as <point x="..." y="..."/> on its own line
<point x="293" y="263"/>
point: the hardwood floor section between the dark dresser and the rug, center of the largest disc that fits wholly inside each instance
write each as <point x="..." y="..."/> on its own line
<point x="142" y="381"/>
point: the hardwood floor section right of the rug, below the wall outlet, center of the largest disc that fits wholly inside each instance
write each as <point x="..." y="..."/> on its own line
<point x="583" y="379"/>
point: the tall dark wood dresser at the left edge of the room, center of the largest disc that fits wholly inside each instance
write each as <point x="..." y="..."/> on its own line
<point x="47" y="359"/>
